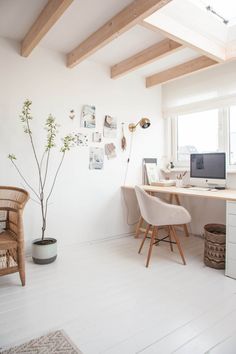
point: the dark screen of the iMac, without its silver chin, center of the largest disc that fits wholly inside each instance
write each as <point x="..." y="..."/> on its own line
<point x="208" y="165"/>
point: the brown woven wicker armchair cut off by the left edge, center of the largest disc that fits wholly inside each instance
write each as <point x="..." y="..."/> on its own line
<point x="12" y="202"/>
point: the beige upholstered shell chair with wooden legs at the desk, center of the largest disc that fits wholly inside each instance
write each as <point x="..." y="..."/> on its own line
<point x="157" y="213"/>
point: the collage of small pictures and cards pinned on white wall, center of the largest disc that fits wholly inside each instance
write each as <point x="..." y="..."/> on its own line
<point x="109" y="131"/>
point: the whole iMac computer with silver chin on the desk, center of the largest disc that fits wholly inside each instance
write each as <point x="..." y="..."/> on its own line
<point x="208" y="170"/>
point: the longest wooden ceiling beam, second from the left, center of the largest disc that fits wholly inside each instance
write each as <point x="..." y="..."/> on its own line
<point x="123" y="21"/>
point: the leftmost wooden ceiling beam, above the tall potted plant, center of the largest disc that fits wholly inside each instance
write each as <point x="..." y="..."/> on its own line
<point x="47" y="18"/>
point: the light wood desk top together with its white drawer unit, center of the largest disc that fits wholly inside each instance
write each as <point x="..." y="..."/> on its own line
<point x="229" y="196"/>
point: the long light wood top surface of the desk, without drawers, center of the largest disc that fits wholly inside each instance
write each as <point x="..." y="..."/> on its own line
<point x="226" y="194"/>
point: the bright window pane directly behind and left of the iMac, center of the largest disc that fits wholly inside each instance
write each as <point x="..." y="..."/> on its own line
<point x="197" y="133"/>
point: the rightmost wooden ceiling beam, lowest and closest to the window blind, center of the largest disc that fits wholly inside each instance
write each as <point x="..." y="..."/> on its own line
<point x="181" y="70"/>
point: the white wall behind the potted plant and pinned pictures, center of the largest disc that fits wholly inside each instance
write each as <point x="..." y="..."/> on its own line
<point x="87" y="205"/>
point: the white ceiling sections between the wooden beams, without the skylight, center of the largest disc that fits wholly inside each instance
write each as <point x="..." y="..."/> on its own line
<point x="81" y="19"/>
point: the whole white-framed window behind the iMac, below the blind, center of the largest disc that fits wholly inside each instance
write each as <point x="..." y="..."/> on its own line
<point x="211" y="130"/>
